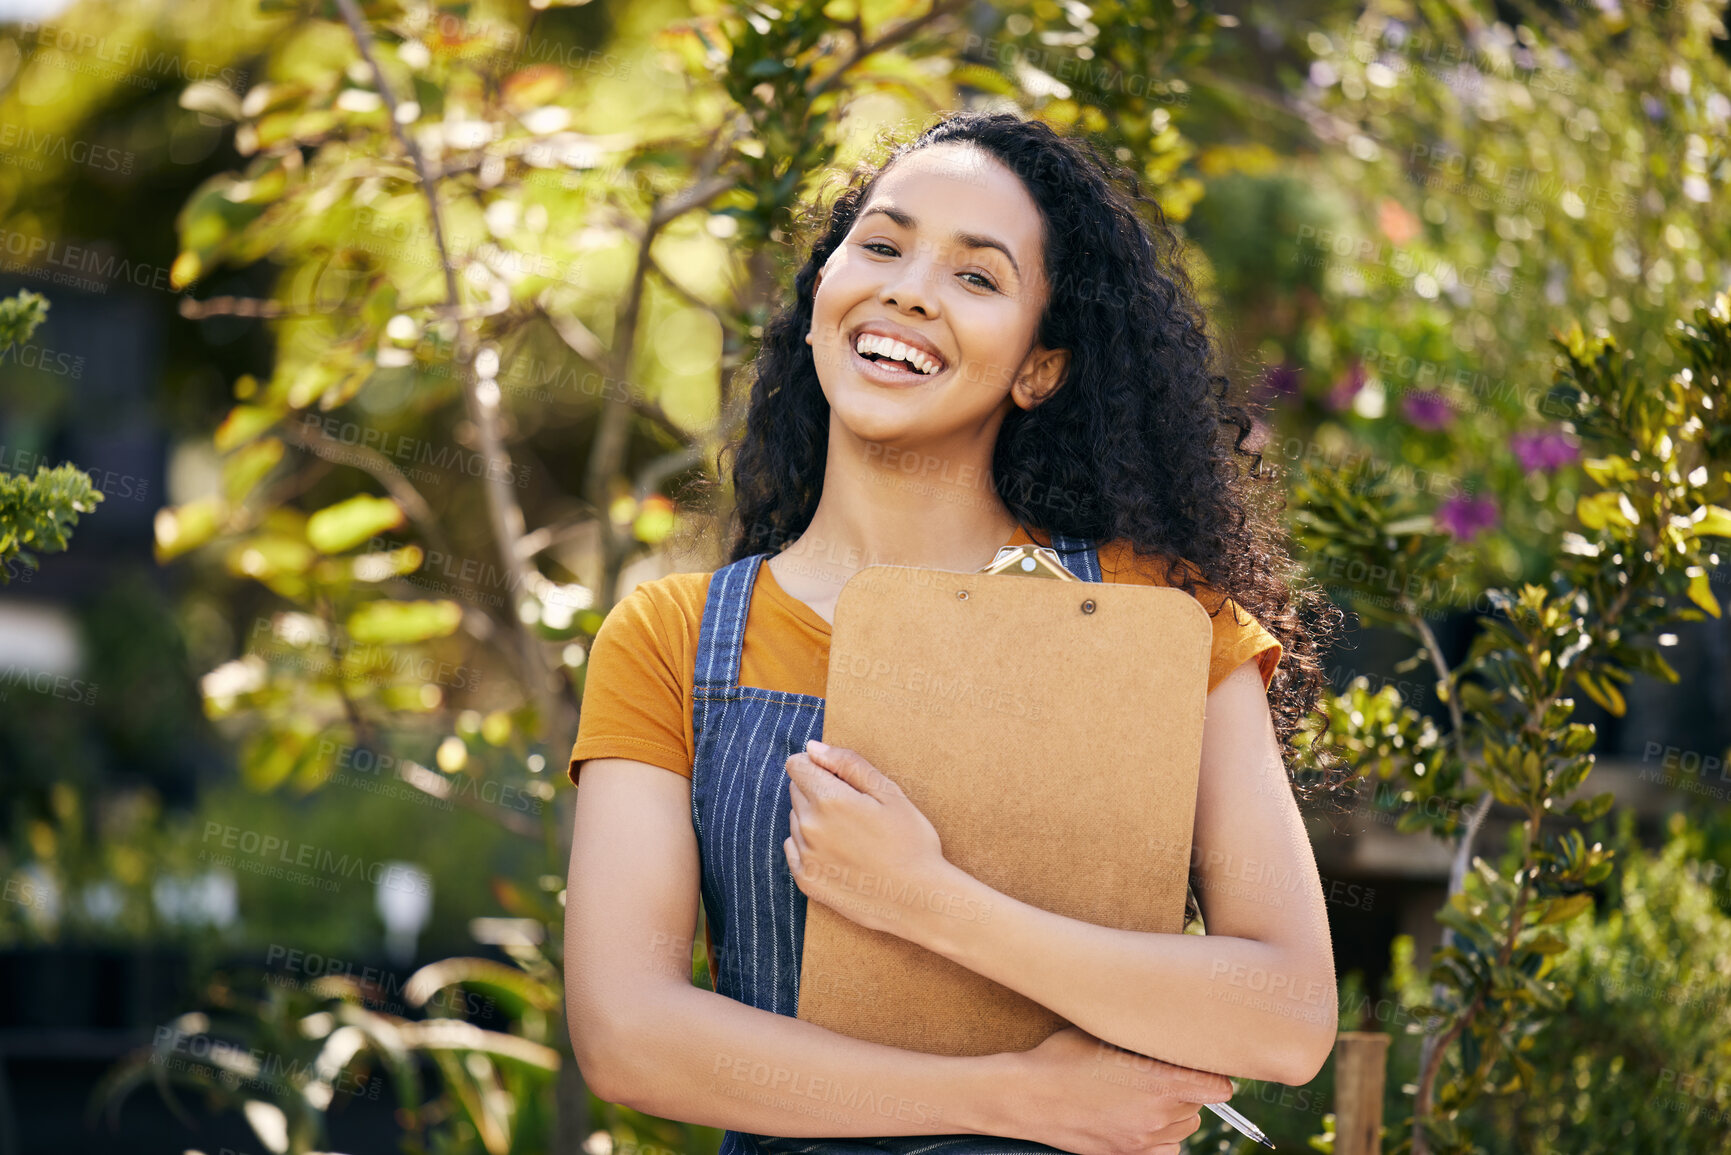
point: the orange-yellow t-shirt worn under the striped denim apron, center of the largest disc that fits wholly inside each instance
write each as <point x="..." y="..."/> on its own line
<point x="641" y="669"/>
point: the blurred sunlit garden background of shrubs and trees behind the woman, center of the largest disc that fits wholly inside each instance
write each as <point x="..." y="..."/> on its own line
<point x="396" y="344"/>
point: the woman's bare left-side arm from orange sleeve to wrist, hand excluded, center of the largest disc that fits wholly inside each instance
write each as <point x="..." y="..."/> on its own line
<point x="650" y="1040"/>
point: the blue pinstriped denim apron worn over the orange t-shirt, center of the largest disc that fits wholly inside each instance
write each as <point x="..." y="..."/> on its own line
<point x="740" y="811"/>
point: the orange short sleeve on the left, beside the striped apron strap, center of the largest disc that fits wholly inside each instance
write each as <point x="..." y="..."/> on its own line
<point x="634" y="699"/>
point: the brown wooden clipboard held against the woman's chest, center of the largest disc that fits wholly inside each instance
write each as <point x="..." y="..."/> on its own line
<point x="1052" y="732"/>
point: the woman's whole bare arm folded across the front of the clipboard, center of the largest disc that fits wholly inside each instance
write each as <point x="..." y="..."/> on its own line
<point x="1252" y="998"/>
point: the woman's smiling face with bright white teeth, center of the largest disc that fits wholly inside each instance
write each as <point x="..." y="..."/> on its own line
<point x="927" y="316"/>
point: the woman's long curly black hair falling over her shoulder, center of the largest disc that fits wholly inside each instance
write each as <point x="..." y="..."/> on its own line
<point x="1131" y="448"/>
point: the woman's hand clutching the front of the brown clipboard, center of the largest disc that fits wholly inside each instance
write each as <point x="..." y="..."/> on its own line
<point x="859" y="846"/>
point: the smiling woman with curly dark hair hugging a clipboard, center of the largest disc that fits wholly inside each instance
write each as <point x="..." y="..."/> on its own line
<point x="984" y="349"/>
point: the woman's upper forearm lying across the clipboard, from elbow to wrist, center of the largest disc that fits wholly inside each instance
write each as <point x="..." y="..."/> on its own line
<point x="1237" y="1007"/>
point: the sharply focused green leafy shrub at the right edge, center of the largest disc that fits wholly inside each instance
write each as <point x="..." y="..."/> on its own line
<point x="1623" y="576"/>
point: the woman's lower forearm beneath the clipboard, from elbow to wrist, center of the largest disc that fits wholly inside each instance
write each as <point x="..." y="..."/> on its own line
<point x="700" y="1057"/>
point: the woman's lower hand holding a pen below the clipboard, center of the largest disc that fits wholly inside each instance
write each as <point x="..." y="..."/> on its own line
<point x="1083" y="1095"/>
